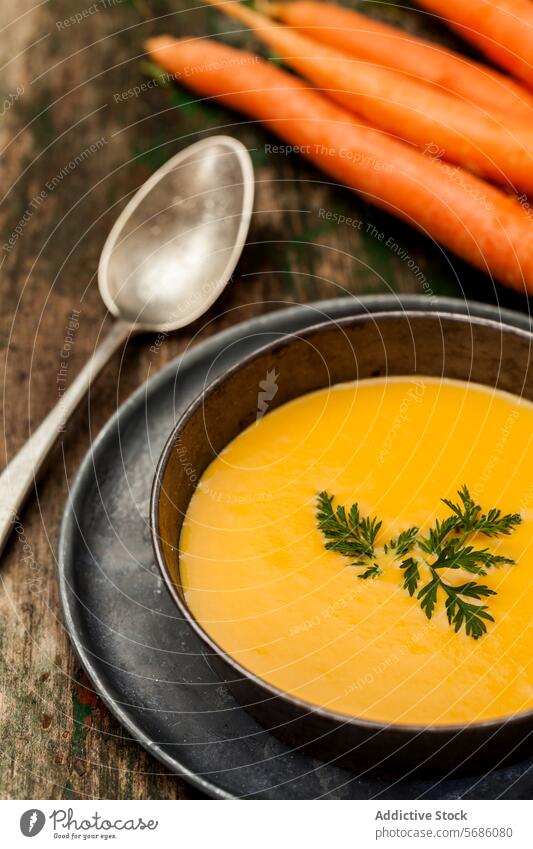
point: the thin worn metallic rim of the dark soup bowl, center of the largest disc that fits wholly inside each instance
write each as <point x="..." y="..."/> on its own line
<point x="332" y="716"/>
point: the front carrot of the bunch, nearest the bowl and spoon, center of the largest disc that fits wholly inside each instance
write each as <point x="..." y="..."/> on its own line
<point x="472" y="218"/>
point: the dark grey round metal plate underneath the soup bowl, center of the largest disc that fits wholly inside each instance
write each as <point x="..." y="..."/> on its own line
<point x="142" y="658"/>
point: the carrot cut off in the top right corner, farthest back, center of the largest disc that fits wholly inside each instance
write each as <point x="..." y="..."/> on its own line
<point x="502" y="29"/>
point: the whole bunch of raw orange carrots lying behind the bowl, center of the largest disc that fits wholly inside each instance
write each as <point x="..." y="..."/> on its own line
<point x="413" y="127"/>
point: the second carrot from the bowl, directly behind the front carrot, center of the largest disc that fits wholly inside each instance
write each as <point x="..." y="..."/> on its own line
<point x="411" y="110"/>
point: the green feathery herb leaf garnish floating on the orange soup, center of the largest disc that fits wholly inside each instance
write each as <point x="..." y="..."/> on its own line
<point x="446" y="545"/>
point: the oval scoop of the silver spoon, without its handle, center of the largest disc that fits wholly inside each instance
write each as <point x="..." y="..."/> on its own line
<point x="175" y="245"/>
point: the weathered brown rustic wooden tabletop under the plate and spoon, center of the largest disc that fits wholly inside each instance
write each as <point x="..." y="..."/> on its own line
<point x="75" y="142"/>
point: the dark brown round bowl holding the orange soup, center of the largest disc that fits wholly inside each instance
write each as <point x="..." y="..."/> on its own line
<point x="404" y="343"/>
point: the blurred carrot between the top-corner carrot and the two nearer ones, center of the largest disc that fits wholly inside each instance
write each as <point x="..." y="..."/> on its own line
<point x="386" y="45"/>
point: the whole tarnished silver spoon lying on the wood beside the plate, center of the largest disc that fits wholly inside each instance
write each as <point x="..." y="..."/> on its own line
<point x="167" y="258"/>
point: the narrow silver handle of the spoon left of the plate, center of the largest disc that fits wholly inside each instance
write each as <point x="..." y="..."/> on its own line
<point x="20" y="474"/>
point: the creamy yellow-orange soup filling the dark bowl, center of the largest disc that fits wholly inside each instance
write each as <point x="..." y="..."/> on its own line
<point x="259" y="579"/>
